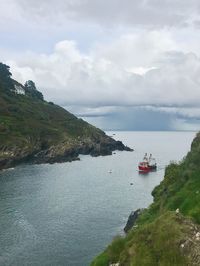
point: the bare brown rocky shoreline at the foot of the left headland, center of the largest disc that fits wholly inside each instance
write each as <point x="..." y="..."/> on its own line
<point x="63" y="152"/>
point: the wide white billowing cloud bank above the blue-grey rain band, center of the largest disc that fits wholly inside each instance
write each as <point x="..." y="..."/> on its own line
<point x="106" y="78"/>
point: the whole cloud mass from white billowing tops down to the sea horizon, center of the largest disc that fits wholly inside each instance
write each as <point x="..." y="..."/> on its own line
<point x="102" y="87"/>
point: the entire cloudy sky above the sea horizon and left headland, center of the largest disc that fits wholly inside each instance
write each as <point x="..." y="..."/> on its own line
<point x="120" y="65"/>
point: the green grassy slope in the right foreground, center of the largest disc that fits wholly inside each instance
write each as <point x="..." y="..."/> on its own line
<point x="164" y="236"/>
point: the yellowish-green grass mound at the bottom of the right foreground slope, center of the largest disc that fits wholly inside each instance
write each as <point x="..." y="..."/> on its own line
<point x="156" y="243"/>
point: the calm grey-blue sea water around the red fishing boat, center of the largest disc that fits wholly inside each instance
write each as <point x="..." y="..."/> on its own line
<point x="65" y="214"/>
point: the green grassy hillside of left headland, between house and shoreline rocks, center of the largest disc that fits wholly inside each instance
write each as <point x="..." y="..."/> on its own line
<point x="28" y="120"/>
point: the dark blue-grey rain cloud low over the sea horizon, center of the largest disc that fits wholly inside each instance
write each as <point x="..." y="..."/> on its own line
<point x="142" y="118"/>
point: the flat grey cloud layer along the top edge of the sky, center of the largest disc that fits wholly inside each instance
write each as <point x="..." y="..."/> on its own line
<point x="149" y="13"/>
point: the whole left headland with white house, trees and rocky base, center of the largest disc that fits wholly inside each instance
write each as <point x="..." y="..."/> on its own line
<point x="36" y="131"/>
